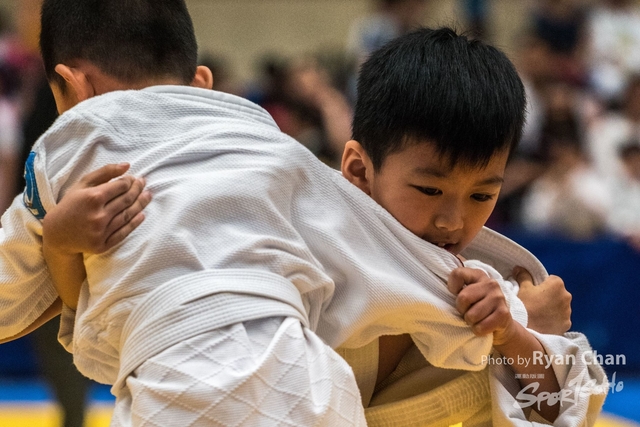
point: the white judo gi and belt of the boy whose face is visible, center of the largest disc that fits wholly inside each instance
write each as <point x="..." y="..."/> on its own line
<point x="420" y="394"/>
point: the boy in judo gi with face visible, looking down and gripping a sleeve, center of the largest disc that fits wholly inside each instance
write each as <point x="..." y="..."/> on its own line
<point x="430" y="146"/>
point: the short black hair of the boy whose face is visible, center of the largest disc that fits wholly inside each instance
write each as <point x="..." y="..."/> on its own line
<point x="436" y="86"/>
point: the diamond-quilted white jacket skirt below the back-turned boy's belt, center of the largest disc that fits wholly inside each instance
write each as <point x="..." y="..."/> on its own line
<point x="203" y="381"/>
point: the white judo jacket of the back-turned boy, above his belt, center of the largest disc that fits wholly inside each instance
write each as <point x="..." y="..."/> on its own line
<point x="245" y="224"/>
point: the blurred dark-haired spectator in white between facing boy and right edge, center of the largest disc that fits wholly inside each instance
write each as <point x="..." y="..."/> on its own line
<point x="569" y="198"/>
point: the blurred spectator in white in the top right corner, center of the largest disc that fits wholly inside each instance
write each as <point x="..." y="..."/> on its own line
<point x="613" y="53"/>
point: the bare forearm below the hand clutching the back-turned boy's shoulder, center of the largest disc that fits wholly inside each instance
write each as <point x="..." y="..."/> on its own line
<point x="67" y="273"/>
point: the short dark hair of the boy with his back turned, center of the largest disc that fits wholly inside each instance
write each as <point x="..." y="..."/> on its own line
<point x="131" y="40"/>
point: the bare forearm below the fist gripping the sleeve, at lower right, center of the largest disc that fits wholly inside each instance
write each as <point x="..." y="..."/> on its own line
<point x="519" y="349"/>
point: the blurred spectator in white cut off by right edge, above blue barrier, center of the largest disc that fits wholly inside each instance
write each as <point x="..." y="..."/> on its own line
<point x="624" y="219"/>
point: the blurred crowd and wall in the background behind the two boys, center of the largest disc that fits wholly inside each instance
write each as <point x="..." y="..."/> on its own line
<point x="575" y="177"/>
